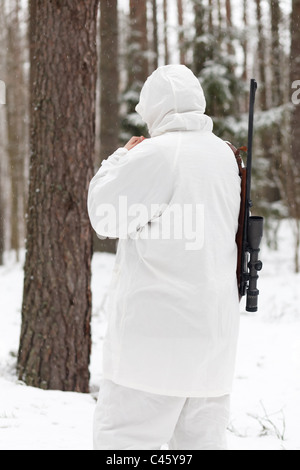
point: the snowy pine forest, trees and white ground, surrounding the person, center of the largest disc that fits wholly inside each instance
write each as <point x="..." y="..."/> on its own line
<point x="71" y="73"/>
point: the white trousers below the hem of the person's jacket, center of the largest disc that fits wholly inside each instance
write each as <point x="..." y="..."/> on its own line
<point x="129" y="419"/>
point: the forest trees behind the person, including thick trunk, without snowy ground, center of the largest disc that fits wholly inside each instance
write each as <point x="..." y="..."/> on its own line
<point x="73" y="73"/>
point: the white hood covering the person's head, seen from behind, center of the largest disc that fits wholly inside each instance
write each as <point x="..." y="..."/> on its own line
<point x="172" y="99"/>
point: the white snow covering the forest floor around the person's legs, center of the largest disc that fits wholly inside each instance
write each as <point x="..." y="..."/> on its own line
<point x="266" y="397"/>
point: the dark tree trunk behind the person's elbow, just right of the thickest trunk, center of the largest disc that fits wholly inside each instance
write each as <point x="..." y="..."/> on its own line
<point x="109" y="94"/>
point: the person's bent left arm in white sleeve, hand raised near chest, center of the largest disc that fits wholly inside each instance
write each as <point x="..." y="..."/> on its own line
<point x="125" y="193"/>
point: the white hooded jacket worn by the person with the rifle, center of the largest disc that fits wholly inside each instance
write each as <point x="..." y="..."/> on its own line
<point x="174" y="307"/>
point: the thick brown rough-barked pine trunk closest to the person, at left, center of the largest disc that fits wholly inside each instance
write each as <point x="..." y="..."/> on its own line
<point x="55" y="338"/>
